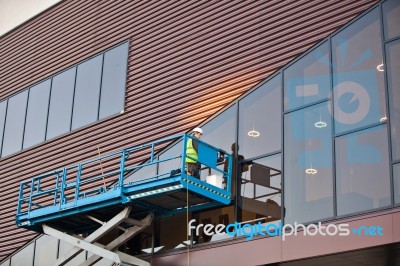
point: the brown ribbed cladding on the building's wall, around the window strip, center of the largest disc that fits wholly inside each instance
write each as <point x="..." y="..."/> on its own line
<point x="187" y="60"/>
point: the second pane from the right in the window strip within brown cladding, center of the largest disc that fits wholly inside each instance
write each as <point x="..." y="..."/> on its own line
<point x="87" y="92"/>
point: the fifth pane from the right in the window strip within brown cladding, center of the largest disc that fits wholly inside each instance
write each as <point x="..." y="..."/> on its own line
<point x="14" y="123"/>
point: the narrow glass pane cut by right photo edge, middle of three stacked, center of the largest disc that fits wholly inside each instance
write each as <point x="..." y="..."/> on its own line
<point x="393" y="62"/>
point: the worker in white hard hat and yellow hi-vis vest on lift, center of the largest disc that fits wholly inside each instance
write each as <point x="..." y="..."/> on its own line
<point x="192" y="147"/>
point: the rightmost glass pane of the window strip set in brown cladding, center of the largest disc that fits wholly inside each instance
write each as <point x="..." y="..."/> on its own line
<point x="113" y="83"/>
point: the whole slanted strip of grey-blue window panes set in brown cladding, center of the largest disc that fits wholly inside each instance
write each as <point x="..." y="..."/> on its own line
<point x="74" y="98"/>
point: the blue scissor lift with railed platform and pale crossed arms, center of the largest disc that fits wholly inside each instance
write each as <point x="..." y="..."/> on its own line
<point x="96" y="196"/>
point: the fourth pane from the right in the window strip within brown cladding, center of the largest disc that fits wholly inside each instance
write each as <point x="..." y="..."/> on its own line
<point x="36" y="116"/>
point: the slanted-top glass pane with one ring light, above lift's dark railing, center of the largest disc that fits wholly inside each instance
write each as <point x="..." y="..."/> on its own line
<point x="260" y="120"/>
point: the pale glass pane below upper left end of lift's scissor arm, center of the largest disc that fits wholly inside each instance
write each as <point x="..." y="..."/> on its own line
<point x="46" y="250"/>
